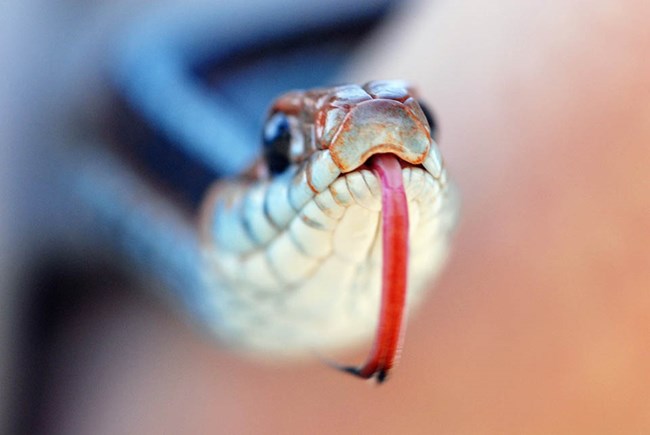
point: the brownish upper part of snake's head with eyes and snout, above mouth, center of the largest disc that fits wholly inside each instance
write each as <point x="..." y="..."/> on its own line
<point x="351" y="123"/>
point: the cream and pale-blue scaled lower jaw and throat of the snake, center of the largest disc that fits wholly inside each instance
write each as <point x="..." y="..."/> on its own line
<point x="310" y="278"/>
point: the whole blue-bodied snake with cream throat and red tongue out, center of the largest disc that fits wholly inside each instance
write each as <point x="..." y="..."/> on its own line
<point x="332" y="233"/>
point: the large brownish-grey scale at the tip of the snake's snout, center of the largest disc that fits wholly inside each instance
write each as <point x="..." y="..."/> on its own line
<point x="379" y="126"/>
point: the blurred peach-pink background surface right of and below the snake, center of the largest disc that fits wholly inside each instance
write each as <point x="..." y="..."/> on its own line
<point x="541" y="322"/>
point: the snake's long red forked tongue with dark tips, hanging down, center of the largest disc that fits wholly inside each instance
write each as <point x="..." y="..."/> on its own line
<point x="395" y="230"/>
